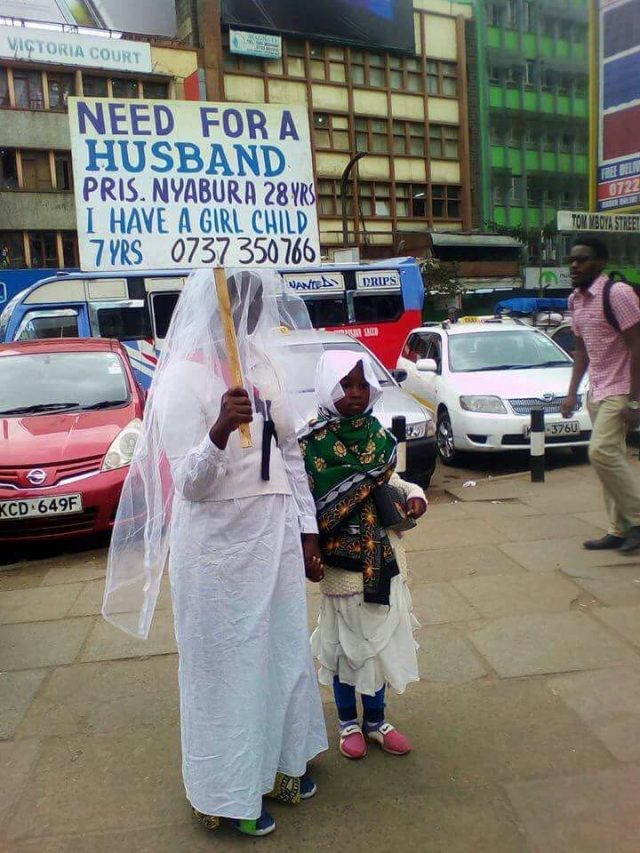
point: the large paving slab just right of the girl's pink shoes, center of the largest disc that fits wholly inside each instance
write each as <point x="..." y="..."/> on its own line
<point x="485" y="732"/>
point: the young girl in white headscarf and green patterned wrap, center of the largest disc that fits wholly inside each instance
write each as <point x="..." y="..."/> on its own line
<point x="364" y="639"/>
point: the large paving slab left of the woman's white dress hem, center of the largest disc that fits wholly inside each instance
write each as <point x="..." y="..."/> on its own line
<point x="102" y="782"/>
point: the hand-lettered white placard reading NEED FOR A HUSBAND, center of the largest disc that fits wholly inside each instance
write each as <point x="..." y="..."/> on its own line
<point x="183" y="184"/>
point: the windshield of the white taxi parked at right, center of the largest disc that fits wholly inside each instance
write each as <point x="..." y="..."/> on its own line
<point x="517" y="349"/>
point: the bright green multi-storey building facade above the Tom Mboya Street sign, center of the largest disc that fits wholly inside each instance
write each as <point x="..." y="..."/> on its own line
<point x="530" y="134"/>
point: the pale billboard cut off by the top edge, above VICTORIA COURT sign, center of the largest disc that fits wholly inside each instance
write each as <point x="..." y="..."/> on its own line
<point x="151" y="17"/>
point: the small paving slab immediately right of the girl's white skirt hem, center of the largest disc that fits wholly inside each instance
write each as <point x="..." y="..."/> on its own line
<point x="446" y="657"/>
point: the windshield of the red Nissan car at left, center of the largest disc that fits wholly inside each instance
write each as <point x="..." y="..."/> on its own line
<point x="40" y="383"/>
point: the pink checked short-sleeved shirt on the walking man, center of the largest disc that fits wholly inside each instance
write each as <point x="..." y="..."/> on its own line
<point x="609" y="359"/>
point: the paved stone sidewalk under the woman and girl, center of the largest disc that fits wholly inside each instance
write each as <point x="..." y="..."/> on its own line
<point x="526" y="725"/>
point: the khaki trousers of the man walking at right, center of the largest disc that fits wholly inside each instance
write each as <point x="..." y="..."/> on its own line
<point x="608" y="454"/>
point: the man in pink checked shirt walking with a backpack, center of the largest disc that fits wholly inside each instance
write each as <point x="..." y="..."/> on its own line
<point x="612" y="356"/>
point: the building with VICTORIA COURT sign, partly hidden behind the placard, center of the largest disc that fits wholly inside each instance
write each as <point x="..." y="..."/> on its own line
<point x="37" y="212"/>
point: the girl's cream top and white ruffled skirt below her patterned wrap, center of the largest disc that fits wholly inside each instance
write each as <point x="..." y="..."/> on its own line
<point x="368" y="645"/>
